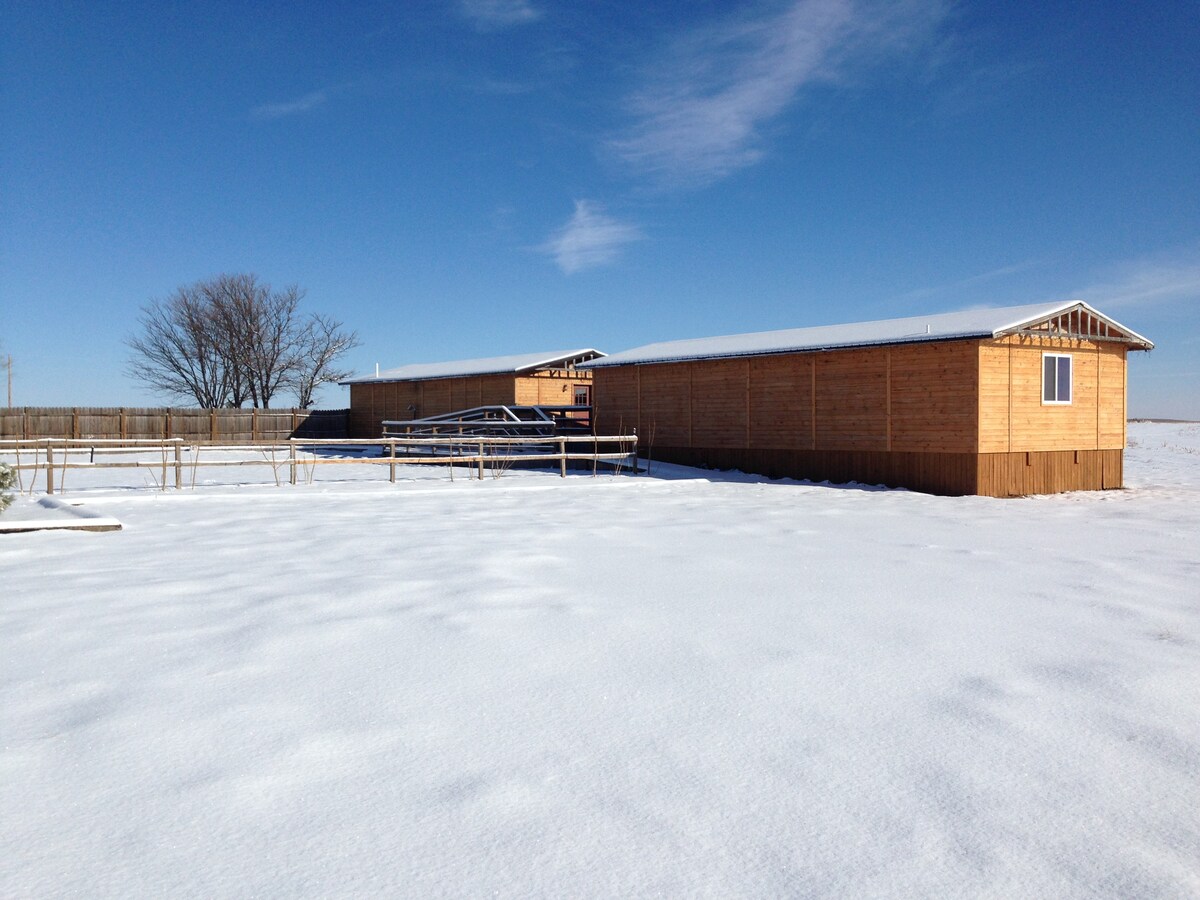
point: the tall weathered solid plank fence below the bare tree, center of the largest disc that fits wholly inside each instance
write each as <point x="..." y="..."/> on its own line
<point x="158" y="424"/>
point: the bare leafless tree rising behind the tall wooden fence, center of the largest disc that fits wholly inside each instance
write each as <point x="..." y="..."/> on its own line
<point x="232" y="340"/>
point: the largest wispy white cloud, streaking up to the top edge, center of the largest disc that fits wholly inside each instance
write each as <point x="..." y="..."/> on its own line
<point x="701" y="113"/>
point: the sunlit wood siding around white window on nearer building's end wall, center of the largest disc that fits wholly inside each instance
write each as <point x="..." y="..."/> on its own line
<point x="1012" y="416"/>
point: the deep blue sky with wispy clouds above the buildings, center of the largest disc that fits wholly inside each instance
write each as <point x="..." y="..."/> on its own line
<point x="495" y="177"/>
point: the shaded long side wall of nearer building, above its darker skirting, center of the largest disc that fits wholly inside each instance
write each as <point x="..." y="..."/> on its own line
<point x="915" y="398"/>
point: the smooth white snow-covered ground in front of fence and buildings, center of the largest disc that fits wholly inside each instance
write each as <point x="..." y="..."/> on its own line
<point x="686" y="685"/>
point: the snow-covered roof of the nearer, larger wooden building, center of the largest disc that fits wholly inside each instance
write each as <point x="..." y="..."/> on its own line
<point x="944" y="327"/>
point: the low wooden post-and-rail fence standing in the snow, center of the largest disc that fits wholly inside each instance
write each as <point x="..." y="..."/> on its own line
<point x="176" y="458"/>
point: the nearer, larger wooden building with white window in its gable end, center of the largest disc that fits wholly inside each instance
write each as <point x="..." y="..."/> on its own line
<point x="999" y="403"/>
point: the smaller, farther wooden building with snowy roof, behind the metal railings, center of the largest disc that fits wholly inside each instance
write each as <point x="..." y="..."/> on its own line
<point x="427" y="389"/>
